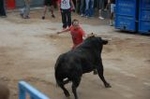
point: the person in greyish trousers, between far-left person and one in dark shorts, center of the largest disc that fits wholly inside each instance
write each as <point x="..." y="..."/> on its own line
<point x="26" y="10"/>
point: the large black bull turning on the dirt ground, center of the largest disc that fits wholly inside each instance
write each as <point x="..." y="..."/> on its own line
<point x="85" y="58"/>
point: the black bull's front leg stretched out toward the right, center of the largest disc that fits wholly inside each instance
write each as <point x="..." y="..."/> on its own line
<point x="100" y="71"/>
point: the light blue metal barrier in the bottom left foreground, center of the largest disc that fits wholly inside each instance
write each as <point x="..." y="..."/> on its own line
<point x="24" y="88"/>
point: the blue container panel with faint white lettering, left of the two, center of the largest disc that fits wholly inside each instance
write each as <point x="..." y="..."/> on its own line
<point x="126" y="15"/>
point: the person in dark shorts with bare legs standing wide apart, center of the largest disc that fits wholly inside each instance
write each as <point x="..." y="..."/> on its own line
<point x="48" y="3"/>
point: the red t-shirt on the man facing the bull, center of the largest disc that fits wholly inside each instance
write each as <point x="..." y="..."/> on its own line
<point x="77" y="35"/>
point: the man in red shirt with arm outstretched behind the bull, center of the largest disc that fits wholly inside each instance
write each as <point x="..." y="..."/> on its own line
<point x="76" y="32"/>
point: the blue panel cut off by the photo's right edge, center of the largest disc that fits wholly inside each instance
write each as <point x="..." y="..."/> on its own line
<point x="144" y="17"/>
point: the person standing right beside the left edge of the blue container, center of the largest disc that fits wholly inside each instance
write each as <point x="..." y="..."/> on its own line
<point x="112" y="4"/>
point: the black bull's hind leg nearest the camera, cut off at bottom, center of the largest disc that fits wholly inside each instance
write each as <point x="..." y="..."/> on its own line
<point x="75" y="84"/>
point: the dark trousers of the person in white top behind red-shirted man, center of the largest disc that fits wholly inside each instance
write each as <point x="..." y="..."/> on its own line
<point x="66" y="17"/>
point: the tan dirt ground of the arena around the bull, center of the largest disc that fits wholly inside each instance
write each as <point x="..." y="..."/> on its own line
<point x="29" y="49"/>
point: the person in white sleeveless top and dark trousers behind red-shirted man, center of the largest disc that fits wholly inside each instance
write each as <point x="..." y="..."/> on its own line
<point x="66" y="6"/>
